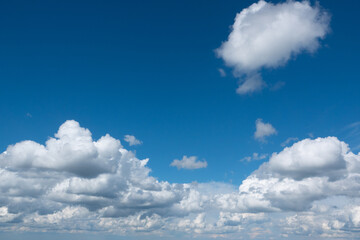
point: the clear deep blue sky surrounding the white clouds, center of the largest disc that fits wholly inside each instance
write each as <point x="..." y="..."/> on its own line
<point x="151" y="70"/>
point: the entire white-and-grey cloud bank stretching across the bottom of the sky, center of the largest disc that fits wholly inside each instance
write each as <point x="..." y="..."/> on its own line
<point x="311" y="188"/>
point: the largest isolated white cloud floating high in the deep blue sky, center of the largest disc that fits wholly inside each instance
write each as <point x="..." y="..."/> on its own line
<point x="267" y="35"/>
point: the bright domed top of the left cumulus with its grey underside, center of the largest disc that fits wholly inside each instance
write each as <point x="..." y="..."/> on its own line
<point x="72" y="150"/>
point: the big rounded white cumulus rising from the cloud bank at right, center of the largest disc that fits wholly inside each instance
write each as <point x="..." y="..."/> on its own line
<point x="297" y="177"/>
